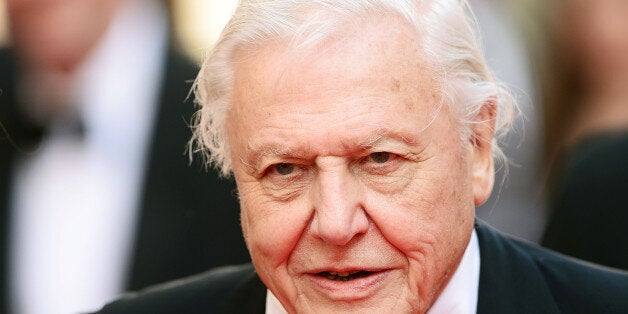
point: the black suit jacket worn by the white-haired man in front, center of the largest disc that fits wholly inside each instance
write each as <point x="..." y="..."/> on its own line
<point x="515" y="277"/>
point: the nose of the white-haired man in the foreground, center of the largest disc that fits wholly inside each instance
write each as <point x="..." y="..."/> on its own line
<point x="339" y="214"/>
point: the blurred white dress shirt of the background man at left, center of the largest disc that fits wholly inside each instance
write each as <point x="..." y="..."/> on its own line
<point x="75" y="200"/>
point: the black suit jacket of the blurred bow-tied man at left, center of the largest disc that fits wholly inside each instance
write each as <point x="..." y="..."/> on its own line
<point x="188" y="219"/>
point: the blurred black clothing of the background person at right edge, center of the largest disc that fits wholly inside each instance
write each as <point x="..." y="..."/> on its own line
<point x="590" y="207"/>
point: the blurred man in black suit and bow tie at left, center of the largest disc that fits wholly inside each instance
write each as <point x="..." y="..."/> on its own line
<point x="94" y="182"/>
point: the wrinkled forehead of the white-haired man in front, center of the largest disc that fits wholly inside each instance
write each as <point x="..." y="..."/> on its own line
<point x="357" y="83"/>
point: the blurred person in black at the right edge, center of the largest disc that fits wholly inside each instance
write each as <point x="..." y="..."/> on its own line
<point x="586" y="107"/>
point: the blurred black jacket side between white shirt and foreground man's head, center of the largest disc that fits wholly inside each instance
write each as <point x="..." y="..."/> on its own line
<point x="188" y="220"/>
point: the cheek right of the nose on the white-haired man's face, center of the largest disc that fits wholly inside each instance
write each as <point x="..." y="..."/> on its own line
<point x="425" y="219"/>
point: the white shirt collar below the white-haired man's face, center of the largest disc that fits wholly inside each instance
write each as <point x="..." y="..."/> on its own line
<point x="460" y="296"/>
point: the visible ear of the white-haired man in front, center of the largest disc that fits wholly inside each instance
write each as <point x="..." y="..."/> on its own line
<point x="482" y="133"/>
